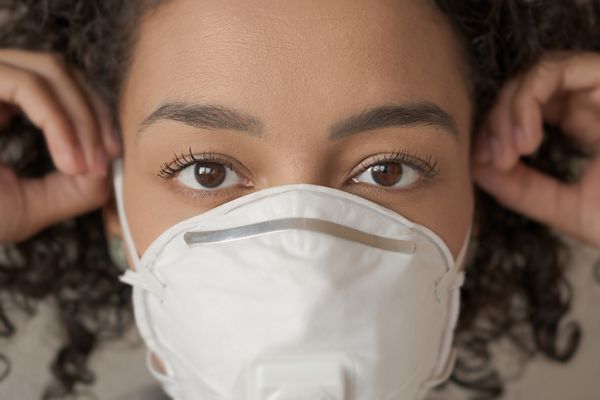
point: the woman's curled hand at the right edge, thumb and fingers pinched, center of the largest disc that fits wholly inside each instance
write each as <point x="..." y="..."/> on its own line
<point x="563" y="89"/>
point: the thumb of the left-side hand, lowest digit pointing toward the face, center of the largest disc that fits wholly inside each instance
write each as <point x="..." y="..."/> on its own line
<point x="69" y="196"/>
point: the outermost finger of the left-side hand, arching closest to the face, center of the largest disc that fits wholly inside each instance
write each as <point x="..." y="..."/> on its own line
<point x="77" y="106"/>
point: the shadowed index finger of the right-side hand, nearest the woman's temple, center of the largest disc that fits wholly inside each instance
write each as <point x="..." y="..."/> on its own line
<point x="497" y="142"/>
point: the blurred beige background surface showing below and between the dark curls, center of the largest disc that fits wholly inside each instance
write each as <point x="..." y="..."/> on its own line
<point x="121" y="370"/>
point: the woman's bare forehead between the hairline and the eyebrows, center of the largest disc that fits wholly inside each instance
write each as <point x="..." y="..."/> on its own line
<point x="286" y="58"/>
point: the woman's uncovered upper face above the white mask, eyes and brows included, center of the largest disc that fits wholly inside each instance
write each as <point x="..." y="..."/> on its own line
<point x="227" y="97"/>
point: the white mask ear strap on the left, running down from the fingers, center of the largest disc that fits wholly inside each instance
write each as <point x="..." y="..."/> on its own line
<point x="142" y="277"/>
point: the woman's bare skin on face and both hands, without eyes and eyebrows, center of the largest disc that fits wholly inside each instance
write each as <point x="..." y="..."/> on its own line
<point x="299" y="67"/>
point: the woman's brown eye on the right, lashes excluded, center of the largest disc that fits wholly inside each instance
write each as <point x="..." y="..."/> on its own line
<point x="389" y="175"/>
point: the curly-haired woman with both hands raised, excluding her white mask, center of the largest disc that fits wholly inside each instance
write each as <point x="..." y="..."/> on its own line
<point x="295" y="80"/>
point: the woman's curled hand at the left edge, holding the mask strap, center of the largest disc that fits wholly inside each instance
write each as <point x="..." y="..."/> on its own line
<point x="80" y="137"/>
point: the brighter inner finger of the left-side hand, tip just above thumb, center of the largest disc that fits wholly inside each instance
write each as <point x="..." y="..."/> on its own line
<point x="32" y="95"/>
